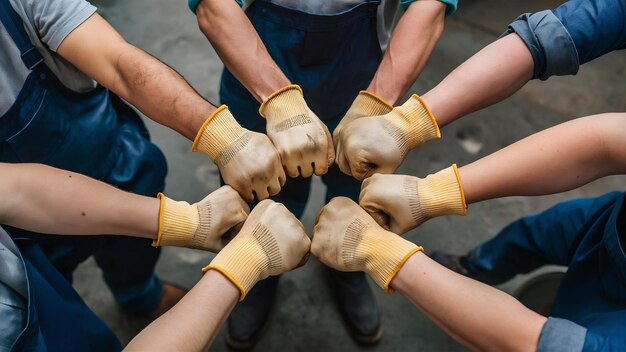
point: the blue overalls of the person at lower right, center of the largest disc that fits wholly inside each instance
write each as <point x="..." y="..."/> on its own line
<point x="587" y="235"/>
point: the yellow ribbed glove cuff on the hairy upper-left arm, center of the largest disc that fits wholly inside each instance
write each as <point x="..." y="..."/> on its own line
<point x="221" y="136"/>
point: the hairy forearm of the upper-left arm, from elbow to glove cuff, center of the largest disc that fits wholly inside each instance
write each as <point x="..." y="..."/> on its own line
<point x="160" y="92"/>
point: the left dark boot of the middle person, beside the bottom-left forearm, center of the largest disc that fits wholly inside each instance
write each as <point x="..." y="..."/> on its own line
<point x="247" y="320"/>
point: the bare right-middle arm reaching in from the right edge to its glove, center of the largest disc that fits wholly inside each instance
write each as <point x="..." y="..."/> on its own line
<point x="558" y="159"/>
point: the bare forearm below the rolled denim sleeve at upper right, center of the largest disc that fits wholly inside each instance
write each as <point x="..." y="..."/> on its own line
<point x="490" y="76"/>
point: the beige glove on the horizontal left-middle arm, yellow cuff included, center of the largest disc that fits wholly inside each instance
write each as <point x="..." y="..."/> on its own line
<point x="204" y="225"/>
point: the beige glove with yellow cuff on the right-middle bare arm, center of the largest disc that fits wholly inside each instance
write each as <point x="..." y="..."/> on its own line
<point x="409" y="201"/>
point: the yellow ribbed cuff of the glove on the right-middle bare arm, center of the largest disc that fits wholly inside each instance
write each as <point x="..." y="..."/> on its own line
<point x="442" y="193"/>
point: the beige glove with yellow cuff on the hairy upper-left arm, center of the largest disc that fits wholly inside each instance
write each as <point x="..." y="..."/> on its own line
<point x="247" y="160"/>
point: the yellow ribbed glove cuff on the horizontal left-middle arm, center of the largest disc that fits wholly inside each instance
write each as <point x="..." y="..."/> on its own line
<point x="178" y="223"/>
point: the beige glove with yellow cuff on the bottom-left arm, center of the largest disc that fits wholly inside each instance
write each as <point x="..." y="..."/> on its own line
<point x="271" y="242"/>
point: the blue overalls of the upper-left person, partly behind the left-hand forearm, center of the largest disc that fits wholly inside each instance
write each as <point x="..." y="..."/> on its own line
<point x="95" y="134"/>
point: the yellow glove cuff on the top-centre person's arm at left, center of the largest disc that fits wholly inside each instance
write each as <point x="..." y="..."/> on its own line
<point x="286" y="108"/>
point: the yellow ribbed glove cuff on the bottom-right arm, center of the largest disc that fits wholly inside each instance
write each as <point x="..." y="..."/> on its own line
<point x="384" y="252"/>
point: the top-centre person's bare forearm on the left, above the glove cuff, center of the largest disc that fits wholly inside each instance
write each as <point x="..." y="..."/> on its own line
<point x="239" y="46"/>
